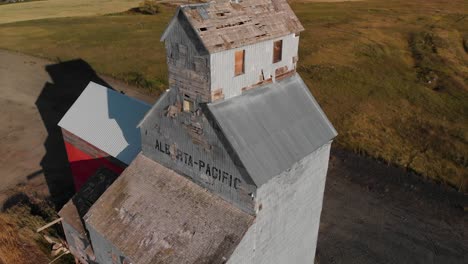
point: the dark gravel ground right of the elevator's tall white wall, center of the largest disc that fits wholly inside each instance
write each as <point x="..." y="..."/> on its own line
<point x="378" y="213"/>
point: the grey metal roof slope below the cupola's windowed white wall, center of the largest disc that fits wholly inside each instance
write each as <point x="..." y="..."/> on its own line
<point x="273" y="127"/>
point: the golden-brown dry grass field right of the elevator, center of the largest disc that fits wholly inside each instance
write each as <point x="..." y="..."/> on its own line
<point x="392" y="76"/>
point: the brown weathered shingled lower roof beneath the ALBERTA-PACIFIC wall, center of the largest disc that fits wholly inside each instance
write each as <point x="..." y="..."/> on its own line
<point x="153" y="215"/>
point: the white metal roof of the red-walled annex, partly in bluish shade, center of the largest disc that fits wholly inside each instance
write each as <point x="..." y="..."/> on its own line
<point x="108" y="120"/>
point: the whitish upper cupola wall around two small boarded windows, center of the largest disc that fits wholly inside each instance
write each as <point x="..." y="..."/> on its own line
<point x="258" y="57"/>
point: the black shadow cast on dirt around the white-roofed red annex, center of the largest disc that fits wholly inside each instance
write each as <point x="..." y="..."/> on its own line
<point x="69" y="79"/>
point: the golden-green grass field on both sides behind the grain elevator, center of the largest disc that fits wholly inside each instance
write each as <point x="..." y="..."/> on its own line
<point x="391" y="75"/>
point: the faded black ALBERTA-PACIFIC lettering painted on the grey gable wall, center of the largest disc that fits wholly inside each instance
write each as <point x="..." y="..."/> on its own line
<point x="203" y="167"/>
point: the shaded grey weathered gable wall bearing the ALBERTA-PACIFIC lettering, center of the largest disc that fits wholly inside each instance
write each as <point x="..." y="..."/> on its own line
<point x="188" y="143"/>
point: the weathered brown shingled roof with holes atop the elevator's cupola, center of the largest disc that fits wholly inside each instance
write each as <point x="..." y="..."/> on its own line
<point x="222" y="25"/>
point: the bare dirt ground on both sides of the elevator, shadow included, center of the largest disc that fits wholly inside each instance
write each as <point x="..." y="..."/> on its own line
<point x="373" y="213"/>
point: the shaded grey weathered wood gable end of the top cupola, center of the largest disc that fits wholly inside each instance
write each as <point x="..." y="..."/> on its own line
<point x="188" y="69"/>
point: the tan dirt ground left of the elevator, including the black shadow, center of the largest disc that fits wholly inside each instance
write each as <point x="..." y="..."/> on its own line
<point x="35" y="94"/>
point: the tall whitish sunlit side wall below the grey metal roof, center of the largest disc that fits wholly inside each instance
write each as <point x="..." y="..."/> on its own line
<point x="286" y="228"/>
